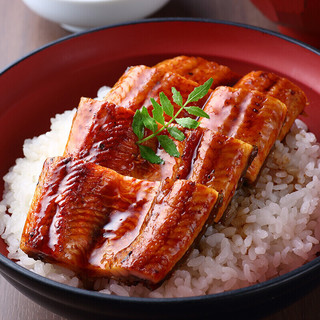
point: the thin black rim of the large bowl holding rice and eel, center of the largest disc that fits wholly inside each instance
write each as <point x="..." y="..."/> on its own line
<point x="279" y="281"/>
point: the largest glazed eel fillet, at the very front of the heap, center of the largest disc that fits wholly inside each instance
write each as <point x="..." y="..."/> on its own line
<point x="97" y="222"/>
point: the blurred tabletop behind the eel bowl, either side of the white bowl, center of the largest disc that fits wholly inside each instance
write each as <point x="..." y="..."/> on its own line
<point x="22" y="30"/>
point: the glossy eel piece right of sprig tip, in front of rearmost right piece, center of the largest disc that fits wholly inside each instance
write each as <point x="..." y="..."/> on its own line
<point x="250" y="116"/>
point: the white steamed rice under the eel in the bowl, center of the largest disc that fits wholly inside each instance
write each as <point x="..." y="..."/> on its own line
<point x="275" y="226"/>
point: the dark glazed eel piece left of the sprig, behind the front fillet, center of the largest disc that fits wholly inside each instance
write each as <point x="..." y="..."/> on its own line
<point x="102" y="133"/>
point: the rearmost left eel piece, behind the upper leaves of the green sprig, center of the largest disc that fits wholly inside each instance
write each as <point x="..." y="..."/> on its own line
<point x="139" y="83"/>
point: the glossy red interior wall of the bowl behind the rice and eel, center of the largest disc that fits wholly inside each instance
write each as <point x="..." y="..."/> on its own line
<point x="54" y="78"/>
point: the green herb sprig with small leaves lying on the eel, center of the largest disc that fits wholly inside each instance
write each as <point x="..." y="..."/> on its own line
<point x="157" y="123"/>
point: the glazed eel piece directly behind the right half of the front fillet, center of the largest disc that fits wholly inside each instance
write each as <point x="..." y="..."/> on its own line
<point x="220" y="162"/>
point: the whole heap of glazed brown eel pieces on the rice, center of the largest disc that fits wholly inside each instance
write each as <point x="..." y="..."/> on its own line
<point x="102" y="210"/>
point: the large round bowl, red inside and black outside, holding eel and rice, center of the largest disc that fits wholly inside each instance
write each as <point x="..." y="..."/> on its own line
<point x="54" y="78"/>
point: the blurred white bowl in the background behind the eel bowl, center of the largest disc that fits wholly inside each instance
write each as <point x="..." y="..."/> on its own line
<point x="79" y="15"/>
